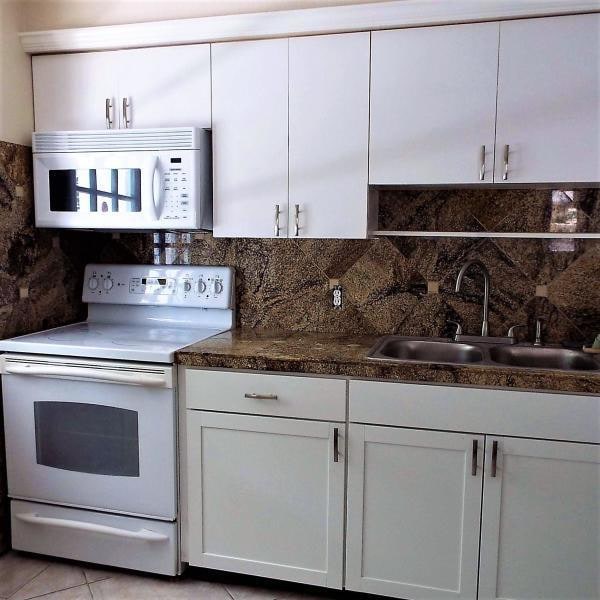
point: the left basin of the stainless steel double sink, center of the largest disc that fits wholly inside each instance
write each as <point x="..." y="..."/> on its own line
<point x="398" y="348"/>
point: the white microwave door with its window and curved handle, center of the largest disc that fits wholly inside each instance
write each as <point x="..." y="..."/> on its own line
<point x="97" y="190"/>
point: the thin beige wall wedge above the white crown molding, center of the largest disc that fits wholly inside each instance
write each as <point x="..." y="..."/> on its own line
<point x="56" y="14"/>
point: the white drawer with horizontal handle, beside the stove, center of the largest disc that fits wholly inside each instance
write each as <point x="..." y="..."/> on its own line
<point x="258" y="394"/>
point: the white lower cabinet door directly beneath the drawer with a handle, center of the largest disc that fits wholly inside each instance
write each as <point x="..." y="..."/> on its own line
<point x="266" y="496"/>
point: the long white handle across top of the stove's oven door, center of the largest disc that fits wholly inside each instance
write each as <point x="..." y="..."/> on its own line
<point x="144" y="379"/>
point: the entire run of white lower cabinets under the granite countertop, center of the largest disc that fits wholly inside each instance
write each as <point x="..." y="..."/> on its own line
<point x="449" y="493"/>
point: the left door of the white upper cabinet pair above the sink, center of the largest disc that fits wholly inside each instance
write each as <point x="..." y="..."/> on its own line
<point x="433" y="104"/>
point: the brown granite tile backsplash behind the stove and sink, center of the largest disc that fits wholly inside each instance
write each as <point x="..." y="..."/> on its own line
<point x="403" y="285"/>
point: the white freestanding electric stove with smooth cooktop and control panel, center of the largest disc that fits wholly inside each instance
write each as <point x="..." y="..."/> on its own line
<point x="91" y="443"/>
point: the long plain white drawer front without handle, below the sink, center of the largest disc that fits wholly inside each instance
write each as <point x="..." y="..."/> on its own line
<point x="498" y="412"/>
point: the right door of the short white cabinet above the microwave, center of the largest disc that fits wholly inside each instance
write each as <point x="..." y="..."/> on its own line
<point x="165" y="87"/>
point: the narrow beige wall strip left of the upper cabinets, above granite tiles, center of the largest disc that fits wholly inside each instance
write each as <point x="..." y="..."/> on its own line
<point x="16" y="106"/>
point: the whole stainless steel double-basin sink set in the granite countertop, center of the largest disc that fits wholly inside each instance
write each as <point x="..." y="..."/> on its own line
<point x="487" y="352"/>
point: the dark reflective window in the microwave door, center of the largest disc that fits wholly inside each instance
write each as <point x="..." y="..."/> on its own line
<point x="95" y="190"/>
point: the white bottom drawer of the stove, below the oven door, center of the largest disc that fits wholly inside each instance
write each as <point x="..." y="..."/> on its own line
<point x="102" y="538"/>
